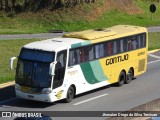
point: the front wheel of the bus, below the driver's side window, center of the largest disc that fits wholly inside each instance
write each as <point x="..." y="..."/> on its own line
<point x="70" y="94"/>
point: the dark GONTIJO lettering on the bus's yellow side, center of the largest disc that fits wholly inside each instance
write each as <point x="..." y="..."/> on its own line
<point x="117" y="59"/>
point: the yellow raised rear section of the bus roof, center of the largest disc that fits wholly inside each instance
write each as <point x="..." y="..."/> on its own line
<point x="105" y="32"/>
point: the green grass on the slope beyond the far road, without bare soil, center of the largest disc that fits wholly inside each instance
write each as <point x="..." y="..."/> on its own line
<point x="76" y="19"/>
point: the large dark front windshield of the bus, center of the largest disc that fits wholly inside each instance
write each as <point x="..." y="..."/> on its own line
<point x="33" y="68"/>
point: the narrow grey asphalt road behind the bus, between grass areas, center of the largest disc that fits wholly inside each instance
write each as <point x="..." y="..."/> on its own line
<point x="52" y="35"/>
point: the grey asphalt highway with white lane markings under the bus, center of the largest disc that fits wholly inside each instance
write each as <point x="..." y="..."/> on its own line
<point x="143" y="89"/>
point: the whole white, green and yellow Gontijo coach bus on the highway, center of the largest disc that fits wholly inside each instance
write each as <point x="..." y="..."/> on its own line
<point x="60" y="68"/>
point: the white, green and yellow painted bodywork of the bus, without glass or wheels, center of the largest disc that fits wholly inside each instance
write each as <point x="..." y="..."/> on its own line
<point x="97" y="71"/>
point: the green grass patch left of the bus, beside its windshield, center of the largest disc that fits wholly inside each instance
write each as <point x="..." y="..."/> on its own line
<point x="8" y="49"/>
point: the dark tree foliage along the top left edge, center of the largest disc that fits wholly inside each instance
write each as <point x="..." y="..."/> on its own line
<point x="34" y="5"/>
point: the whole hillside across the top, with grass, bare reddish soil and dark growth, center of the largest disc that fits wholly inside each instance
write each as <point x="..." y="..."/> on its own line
<point x="75" y="16"/>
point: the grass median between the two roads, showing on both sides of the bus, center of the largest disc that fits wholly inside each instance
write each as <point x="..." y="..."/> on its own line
<point x="10" y="48"/>
